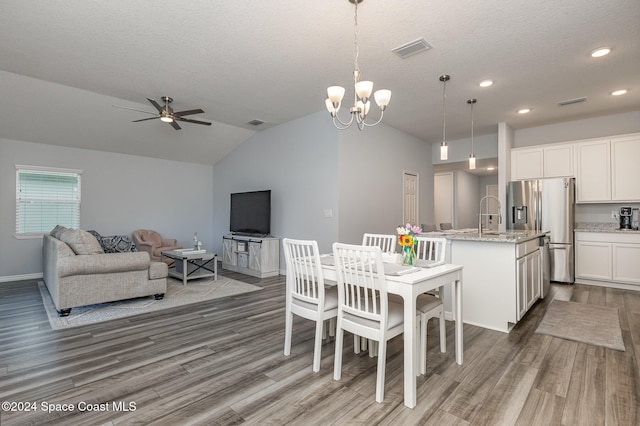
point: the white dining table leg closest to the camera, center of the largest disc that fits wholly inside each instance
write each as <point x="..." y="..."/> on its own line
<point x="410" y="349"/>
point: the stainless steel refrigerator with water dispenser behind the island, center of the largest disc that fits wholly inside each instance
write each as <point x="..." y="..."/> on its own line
<point x="546" y="205"/>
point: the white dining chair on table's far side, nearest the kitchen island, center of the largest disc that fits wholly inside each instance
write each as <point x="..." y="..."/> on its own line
<point x="429" y="306"/>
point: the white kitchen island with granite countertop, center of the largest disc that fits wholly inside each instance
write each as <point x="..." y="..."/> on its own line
<point x="503" y="274"/>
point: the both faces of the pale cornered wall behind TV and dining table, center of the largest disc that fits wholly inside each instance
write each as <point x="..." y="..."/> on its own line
<point x="311" y="167"/>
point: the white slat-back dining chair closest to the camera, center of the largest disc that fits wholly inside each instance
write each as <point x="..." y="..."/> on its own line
<point x="364" y="308"/>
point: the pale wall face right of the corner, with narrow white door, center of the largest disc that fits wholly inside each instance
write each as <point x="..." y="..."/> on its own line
<point x="371" y="166"/>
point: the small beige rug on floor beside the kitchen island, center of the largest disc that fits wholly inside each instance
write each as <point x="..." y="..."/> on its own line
<point x="580" y="322"/>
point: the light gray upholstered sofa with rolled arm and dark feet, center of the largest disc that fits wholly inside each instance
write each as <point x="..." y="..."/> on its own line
<point x="77" y="272"/>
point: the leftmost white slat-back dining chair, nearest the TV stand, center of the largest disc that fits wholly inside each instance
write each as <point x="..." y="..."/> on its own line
<point x="306" y="294"/>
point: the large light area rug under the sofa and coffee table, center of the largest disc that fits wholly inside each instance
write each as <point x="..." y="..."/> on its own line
<point x="177" y="295"/>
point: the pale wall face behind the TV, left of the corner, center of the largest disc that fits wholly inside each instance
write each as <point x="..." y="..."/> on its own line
<point x="298" y="162"/>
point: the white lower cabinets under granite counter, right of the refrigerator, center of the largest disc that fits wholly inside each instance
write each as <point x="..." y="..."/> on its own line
<point x="608" y="257"/>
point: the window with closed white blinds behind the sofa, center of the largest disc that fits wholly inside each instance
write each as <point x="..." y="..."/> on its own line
<point x="46" y="197"/>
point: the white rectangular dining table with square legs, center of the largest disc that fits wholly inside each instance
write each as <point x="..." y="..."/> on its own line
<point x="409" y="286"/>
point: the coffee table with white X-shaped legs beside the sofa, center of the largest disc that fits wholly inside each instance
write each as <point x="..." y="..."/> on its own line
<point x="190" y="265"/>
